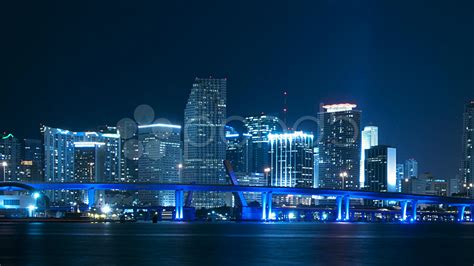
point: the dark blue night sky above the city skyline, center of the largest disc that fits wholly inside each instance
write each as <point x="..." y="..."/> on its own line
<point x="409" y="65"/>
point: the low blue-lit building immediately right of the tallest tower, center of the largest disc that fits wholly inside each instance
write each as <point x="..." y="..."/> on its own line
<point x="239" y="150"/>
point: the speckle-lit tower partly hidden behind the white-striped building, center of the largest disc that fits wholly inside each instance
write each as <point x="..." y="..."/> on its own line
<point x="258" y="127"/>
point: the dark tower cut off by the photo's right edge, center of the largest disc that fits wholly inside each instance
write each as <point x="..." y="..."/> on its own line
<point x="467" y="167"/>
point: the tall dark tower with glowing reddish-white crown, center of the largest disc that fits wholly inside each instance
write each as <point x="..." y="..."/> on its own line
<point x="339" y="146"/>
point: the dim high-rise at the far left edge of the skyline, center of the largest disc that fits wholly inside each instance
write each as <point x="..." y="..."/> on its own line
<point x="10" y="152"/>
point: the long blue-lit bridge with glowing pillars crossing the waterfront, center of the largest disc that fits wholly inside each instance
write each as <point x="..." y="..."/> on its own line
<point x="342" y="196"/>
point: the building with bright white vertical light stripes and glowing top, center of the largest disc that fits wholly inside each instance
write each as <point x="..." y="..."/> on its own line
<point x="291" y="159"/>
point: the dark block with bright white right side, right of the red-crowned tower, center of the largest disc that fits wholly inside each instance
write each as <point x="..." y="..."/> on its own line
<point x="381" y="169"/>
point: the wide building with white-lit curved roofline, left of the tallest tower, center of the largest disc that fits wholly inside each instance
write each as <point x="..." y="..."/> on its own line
<point x="160" y="161"/>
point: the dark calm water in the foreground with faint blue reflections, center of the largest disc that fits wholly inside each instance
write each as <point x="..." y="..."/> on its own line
<point x="236" y="244"/>
